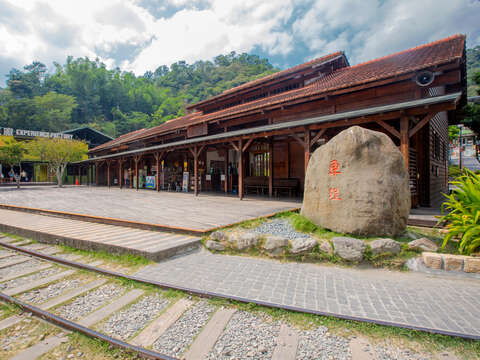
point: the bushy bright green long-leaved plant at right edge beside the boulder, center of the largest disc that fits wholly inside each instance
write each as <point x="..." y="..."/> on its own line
<point x="463" y="217"/>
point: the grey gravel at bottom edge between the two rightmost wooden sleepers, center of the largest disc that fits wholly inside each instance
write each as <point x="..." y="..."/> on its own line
<point x="320" y="344"/>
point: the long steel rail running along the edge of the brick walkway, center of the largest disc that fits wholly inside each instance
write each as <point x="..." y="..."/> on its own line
<point x="211" y="294"/>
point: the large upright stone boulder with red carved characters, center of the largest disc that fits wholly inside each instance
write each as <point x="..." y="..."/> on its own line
<point x="357" y="183"/>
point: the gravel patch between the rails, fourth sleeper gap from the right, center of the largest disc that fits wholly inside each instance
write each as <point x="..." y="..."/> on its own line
<point x="125" y="324"/>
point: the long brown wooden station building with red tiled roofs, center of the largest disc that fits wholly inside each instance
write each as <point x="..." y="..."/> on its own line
<point x="258" y="137"/>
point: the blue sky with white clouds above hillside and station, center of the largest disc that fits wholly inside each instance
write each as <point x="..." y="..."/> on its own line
<point x="140" y="35"/>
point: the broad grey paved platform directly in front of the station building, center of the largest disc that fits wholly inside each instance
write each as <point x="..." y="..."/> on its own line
<point x="162" y="208"/>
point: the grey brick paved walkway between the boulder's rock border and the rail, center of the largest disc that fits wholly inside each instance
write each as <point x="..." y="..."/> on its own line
<point x="439" y="303"/>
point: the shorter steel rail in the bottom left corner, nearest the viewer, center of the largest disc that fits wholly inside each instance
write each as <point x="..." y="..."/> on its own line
<point x="70" y="325"/>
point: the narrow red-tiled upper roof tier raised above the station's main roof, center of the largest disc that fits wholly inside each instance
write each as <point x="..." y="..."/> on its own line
<point x="276" y="75"/>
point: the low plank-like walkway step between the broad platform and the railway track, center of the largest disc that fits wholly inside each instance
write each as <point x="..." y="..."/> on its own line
<point x="154" y="245"/>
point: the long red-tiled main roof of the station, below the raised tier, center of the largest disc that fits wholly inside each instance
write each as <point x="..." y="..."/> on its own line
<point x="420" y="57"/>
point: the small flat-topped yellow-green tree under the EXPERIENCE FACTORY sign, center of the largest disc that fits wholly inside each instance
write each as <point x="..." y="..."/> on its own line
<point x="58" y="153"/>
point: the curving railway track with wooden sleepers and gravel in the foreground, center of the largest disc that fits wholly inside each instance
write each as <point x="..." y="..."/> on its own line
<point x="87" y="297"/>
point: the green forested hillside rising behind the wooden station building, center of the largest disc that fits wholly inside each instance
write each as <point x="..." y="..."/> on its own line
<point x="84" y="92"/>
